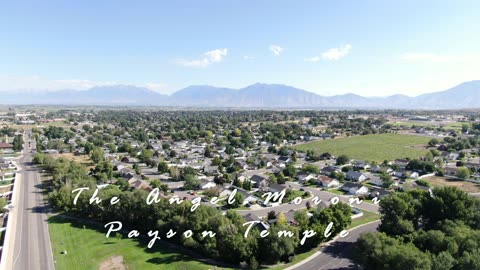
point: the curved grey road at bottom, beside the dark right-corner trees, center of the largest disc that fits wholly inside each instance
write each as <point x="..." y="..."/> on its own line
<point x="338" y="254"/>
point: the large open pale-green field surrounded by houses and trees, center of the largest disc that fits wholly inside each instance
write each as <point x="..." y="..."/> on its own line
<point x="377" y="147"/>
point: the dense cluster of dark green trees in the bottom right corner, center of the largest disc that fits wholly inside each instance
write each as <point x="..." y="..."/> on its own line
<point x="423" y="231"/>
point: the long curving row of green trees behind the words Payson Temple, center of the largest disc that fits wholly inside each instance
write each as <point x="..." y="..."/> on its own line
<point x="229" y="243"/>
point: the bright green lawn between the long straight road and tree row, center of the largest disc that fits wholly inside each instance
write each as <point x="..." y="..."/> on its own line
<point x="88" y="247"/>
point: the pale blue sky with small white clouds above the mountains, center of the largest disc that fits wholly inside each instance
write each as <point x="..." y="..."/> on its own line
<point x="370" y="48"/>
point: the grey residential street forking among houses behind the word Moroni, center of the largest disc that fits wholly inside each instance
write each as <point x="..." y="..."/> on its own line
<point x="322" y="195"/>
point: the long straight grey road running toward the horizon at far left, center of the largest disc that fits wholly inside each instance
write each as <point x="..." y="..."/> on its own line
<point x="30" y="237"/>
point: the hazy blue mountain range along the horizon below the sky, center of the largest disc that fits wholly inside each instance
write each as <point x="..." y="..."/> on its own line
<point x="465" y="95"/>
